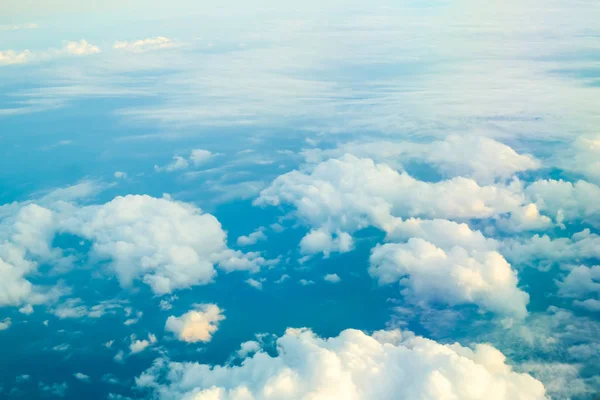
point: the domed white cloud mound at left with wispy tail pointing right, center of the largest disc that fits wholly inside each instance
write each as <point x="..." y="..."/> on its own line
<point x="167" y="244"/>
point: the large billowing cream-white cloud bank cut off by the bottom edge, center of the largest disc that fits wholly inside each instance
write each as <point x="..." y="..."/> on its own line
<point x="387" y="365"/>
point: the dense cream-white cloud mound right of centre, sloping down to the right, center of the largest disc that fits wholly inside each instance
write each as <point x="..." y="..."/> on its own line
<point x="457" y="276"/>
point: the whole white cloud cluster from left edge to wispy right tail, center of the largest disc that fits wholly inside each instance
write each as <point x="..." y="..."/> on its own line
<point x="167" y="244"/>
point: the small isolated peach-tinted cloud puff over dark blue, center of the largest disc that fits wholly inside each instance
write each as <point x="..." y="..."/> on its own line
<point x="197" y="325"/>
